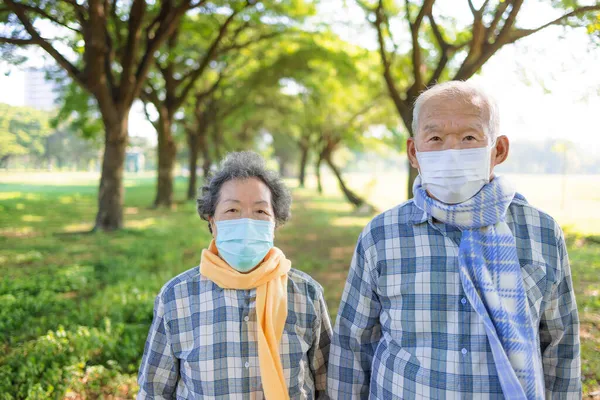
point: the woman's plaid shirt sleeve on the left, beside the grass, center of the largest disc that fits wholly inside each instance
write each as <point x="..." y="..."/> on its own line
<point x="159" y="371"/>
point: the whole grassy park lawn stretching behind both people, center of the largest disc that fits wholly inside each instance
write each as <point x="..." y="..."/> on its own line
<point x="75" y="308"/>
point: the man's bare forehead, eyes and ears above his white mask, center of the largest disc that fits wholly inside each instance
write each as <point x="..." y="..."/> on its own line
<point x="445" y="124"/>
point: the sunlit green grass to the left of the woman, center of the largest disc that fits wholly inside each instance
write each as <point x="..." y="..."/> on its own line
<point x="81" y="325"/>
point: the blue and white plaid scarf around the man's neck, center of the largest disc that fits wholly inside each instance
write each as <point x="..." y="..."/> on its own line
<point x="490" y="274"/>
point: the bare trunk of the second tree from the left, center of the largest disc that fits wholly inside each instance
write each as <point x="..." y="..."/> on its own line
<point x="167" y="151"/>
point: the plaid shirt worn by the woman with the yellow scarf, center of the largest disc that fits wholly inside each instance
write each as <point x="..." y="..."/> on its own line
<point x="202" y="343"/>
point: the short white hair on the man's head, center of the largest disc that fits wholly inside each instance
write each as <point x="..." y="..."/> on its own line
<point x="465" y="92"/>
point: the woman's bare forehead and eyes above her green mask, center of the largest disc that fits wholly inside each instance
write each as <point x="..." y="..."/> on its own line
<point x="248" y="198"/>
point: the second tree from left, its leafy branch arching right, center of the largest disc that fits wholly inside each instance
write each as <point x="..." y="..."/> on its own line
<point x="186" y="57"/>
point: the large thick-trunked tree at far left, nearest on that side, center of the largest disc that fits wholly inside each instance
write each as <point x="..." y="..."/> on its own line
<point x="111" y="47"/>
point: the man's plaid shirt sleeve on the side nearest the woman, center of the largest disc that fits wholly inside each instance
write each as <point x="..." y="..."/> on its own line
<point x="356" y="333"/>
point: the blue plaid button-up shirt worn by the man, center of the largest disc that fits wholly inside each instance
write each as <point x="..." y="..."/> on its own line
<point x="405" y="329"/>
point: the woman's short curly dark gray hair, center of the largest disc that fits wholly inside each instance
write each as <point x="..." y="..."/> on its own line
<point x="240" y="166"/>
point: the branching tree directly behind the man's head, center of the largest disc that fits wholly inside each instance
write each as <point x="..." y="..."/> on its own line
<point x="440" y="51"/>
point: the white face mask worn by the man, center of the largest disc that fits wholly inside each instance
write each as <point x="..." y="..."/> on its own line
<point x="454" y="176"/>
